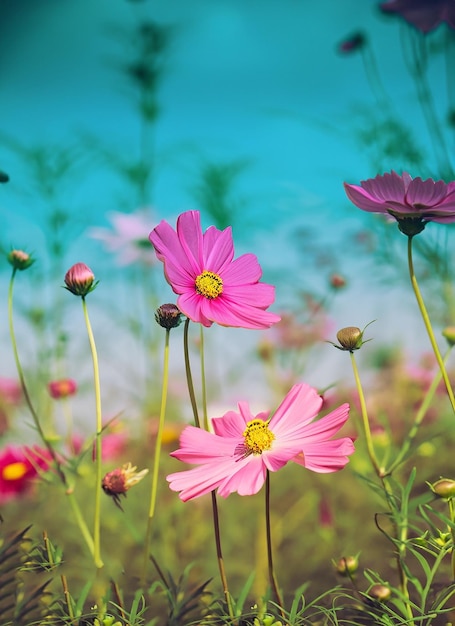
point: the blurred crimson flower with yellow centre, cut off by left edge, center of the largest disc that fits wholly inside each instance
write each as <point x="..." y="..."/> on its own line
<point x="19" y="466"/>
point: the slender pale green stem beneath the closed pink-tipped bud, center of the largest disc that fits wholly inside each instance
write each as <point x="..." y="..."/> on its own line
<point x="99" y="428"/>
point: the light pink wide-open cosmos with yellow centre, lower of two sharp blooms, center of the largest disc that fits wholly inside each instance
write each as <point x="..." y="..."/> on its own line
<point x="243" y="447"/>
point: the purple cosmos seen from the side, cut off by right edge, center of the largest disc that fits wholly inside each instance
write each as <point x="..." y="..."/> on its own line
<point x="411" y="201"/>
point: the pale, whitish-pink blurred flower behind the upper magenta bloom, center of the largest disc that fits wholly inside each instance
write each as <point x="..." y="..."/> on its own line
<point x="129" y="237"/>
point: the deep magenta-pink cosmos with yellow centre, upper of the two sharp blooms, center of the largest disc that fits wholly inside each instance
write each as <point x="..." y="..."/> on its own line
<point x="212" y="287"/>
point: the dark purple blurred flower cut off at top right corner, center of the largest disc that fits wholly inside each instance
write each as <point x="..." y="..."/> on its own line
<point x="425" y="15"/>
